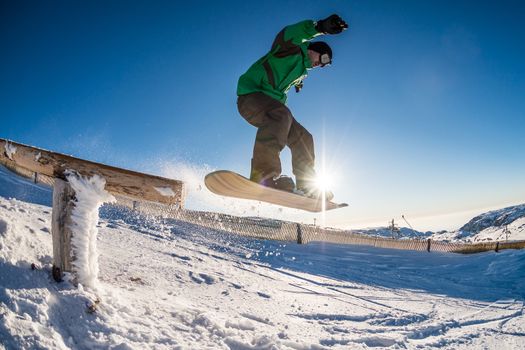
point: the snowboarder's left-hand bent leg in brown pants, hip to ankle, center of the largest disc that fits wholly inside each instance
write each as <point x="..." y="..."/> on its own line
<point x="273" y="120"/>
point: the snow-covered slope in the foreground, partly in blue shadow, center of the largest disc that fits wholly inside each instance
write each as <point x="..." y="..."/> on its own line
<point x="165" y="284"/>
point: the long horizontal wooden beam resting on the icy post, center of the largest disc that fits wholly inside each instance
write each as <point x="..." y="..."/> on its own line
<point x="118" y="181"/>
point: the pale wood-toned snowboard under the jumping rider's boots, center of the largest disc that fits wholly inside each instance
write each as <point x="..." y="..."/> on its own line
<point x="230" y="184"/>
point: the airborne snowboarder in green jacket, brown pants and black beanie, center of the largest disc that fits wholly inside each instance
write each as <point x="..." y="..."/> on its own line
<point x="261" y="101"/>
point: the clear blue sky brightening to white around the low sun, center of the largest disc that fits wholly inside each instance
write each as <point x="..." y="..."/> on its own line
<point x="421" y="113"/>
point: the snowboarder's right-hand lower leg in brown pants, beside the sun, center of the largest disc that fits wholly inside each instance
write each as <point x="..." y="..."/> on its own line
<point x="301" y="144"/>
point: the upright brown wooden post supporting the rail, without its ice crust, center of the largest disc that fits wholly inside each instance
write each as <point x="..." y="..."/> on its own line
<point x="61" y="227"/>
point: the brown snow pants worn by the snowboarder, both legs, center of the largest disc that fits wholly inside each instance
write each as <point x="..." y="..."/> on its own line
<point x="276" y="128"/>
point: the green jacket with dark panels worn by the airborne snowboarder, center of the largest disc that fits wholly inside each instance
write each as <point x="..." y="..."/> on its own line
<point x="285" y="65"/>
